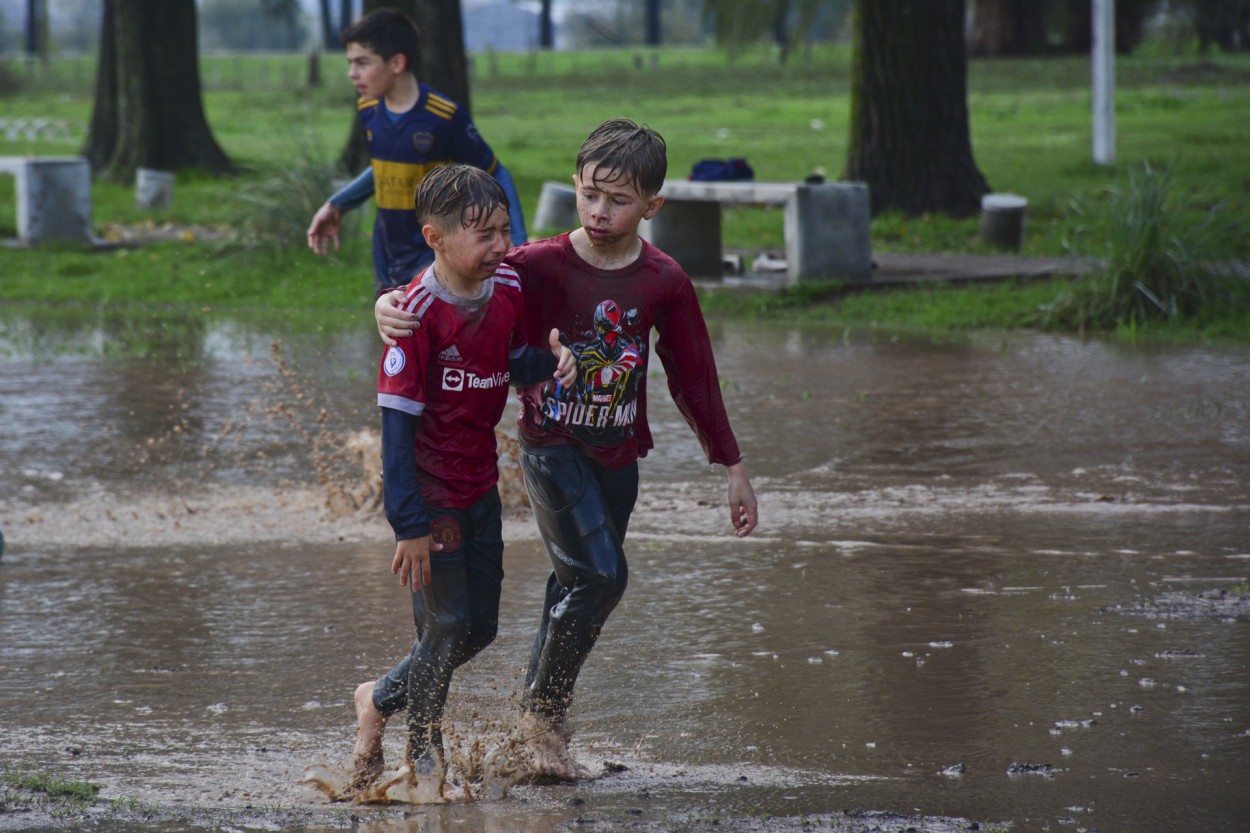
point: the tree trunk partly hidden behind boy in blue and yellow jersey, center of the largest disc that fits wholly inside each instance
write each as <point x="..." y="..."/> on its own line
<point x="442" y="63"/>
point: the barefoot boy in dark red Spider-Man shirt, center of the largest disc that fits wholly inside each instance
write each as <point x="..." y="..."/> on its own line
<point x="606" y="290"/>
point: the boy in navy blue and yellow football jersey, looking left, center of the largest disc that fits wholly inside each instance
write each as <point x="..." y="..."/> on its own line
<point x="411" y="129"/>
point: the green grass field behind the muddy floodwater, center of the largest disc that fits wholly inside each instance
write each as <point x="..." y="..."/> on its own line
<point x="1031" y="123"/>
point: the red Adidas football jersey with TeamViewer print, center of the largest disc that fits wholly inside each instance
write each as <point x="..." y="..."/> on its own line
<point x="453" y="373"/>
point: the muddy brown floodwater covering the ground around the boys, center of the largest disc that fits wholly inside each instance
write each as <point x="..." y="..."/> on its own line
<point x="966" y="602"/>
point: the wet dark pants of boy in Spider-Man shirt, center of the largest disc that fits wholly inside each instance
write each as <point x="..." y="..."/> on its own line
<point x="583" y="511"/>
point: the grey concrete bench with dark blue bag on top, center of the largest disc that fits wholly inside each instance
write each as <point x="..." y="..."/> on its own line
<point x="827" y="227"/>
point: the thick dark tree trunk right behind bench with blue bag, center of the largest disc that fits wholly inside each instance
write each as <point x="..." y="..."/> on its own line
<point x="911" y="141"/>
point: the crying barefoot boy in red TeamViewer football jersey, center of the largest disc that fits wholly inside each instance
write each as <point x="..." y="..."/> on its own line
<point x="442" y="392"/>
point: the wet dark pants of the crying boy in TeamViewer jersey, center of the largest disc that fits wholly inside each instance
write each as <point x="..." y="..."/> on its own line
<point x="457" y="616"/>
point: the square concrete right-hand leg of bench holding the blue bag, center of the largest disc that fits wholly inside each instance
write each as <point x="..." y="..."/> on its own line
<point x="828" y="233"/>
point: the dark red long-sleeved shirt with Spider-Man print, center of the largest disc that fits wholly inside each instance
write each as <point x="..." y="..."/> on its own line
<point x="607" y="318"/>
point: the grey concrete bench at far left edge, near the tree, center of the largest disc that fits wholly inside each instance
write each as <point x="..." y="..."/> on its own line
<point x="54" y="198"/>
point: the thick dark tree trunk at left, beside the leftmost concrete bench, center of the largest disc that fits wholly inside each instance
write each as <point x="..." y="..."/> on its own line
<point x="148" y="111"/>
